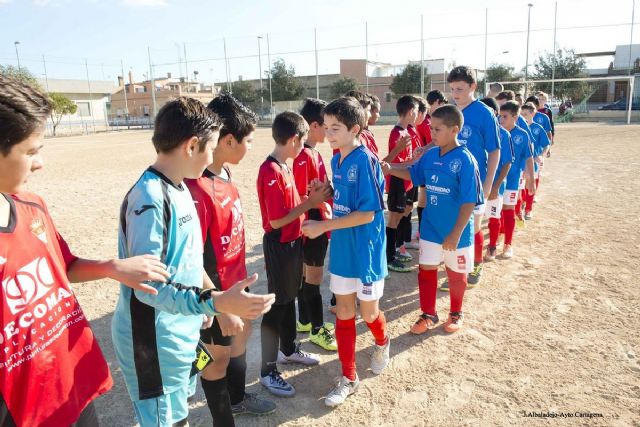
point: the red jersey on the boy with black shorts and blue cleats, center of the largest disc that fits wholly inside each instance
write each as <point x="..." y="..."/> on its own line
<point x="277" y="195"/>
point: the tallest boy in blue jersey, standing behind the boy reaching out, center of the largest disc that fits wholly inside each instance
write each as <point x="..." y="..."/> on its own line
<point x="480" y="135"/>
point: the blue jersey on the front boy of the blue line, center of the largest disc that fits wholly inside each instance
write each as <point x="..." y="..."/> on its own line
<point x="358" y="252"/>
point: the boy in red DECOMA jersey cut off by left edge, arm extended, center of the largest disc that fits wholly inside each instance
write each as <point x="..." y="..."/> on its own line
<point x="53" y="369"/>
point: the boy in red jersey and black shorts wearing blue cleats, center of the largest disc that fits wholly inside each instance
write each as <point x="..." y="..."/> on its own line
<point x="282" y="213"/>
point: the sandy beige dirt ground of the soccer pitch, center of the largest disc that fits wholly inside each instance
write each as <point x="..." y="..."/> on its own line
<point x="553" y="331"/>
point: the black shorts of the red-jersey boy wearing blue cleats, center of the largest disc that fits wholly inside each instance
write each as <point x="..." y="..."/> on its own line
<point x="283" y="262"/>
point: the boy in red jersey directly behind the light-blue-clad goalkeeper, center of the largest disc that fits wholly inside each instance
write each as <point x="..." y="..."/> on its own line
<point x="218" y="205"/>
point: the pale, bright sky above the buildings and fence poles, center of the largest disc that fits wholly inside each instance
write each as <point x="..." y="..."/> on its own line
<point x="107" y="32"/>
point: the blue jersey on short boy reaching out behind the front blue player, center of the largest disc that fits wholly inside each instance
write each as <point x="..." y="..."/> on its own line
<point x="451" y="181"/>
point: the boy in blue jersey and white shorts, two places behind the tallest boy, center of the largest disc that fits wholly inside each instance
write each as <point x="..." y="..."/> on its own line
<point x="523" y="161"/>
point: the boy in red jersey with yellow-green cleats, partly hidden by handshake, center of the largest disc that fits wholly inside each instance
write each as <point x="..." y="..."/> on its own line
<point x="308" y="168"/>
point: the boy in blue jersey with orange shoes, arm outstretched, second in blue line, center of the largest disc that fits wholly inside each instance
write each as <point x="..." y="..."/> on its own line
<point x="454" y="189"/>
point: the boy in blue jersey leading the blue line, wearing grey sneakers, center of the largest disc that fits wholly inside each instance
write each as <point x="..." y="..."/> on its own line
<point x="357" y="260"/>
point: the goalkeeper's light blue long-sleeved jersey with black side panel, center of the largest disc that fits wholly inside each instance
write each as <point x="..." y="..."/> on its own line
<point x="155" y="336"/>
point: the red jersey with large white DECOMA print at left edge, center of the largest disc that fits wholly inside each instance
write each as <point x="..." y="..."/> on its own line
<point x="51" y="366"/>
